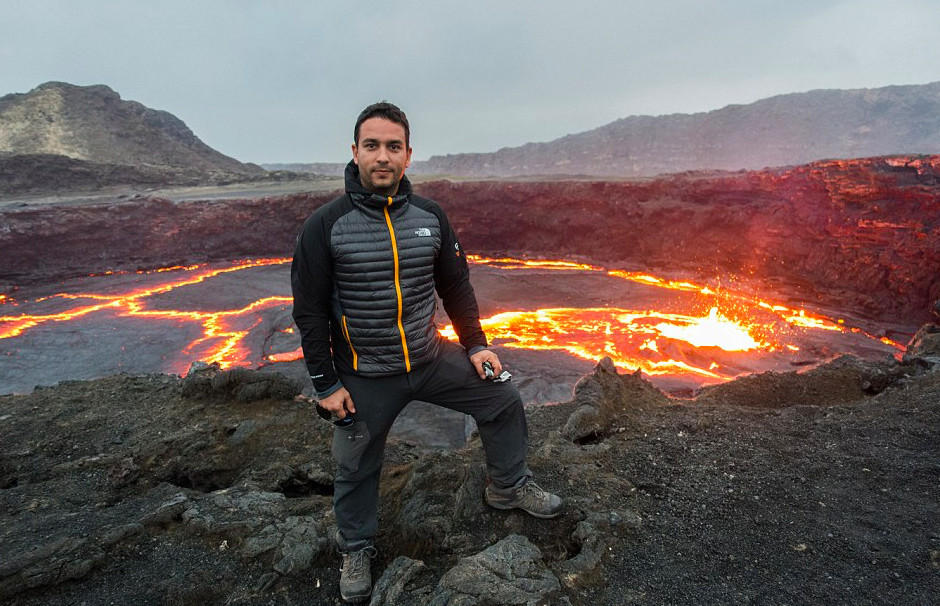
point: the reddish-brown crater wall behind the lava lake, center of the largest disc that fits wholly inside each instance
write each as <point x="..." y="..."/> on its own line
<point x="862" y="235"/>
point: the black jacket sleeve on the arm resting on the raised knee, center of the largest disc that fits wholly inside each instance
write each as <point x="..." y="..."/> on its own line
<point x="452" y="280"/>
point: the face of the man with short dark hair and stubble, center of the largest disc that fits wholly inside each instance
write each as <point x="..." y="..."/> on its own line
<point x="382" y="155"/>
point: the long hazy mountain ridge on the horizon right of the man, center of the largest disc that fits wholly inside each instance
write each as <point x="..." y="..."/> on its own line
<point x="778" y="131"/>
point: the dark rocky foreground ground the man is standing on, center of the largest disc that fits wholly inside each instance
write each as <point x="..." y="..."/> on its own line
<point x="780" y="488"/>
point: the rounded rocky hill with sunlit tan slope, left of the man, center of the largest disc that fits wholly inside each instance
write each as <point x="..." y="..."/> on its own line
<point x="92" y="124"/>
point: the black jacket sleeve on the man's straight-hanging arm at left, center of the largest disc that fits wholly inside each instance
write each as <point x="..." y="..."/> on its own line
<point x="311" y="275"/>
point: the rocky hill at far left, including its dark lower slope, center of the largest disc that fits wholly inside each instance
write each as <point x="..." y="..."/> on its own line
<point x="59" y="129"/>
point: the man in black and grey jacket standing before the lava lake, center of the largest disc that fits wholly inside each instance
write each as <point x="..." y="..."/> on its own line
<point x="364" y="274"/>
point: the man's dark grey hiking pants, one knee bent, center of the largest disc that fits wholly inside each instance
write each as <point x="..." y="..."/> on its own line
<point x="449" y="381"/>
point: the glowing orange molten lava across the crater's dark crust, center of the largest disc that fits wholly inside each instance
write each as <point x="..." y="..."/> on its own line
<point x="707" y="339"/>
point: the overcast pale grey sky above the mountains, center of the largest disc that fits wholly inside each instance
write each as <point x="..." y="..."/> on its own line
<point x="283" y="81"/>
